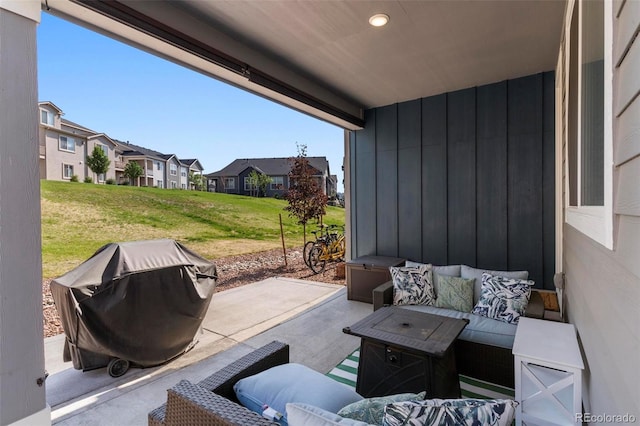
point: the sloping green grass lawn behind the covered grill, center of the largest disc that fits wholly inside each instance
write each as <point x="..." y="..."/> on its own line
<point x="79" y="218"/>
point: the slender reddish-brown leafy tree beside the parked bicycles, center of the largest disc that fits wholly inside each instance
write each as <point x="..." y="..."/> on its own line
<point x="305" y="196"/>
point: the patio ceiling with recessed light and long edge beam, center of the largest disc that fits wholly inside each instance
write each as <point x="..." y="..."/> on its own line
<point x="323" y="57"/>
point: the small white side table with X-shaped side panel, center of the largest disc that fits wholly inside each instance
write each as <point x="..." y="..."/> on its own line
<point x="548" y="373"/>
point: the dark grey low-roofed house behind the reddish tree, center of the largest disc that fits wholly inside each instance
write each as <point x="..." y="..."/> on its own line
<point x="233" y="179"/>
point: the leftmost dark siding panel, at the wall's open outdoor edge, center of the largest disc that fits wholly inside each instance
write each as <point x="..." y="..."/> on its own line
<point x="364" y="195"/>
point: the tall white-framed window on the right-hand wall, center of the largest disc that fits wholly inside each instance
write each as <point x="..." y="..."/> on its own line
<point x="587" y="119"/>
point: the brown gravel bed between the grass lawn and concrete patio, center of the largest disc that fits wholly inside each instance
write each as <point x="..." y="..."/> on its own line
<point x="233" y="271"/>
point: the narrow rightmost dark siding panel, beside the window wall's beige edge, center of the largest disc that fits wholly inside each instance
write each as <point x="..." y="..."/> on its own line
<point x="548" y="181"/>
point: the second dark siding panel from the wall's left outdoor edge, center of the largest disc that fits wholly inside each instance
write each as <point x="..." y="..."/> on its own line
<point x="387" y="180"/>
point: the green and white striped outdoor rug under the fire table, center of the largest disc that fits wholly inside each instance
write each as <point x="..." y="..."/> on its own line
<point x="347" y="372"/>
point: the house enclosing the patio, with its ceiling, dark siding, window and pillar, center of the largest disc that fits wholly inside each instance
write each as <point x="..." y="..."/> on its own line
<point x="469" y="138"/>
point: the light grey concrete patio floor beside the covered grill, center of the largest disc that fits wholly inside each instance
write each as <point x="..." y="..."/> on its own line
<point x="307" y="315"/>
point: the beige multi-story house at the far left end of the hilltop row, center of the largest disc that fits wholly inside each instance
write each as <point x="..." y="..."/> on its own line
<point x="65" y="145"/>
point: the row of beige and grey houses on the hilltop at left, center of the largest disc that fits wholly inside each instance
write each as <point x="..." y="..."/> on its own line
<point x="65" y="145"/>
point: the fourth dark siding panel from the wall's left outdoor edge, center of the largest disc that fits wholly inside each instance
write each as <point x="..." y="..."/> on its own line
<point x="434" y="180"/>
